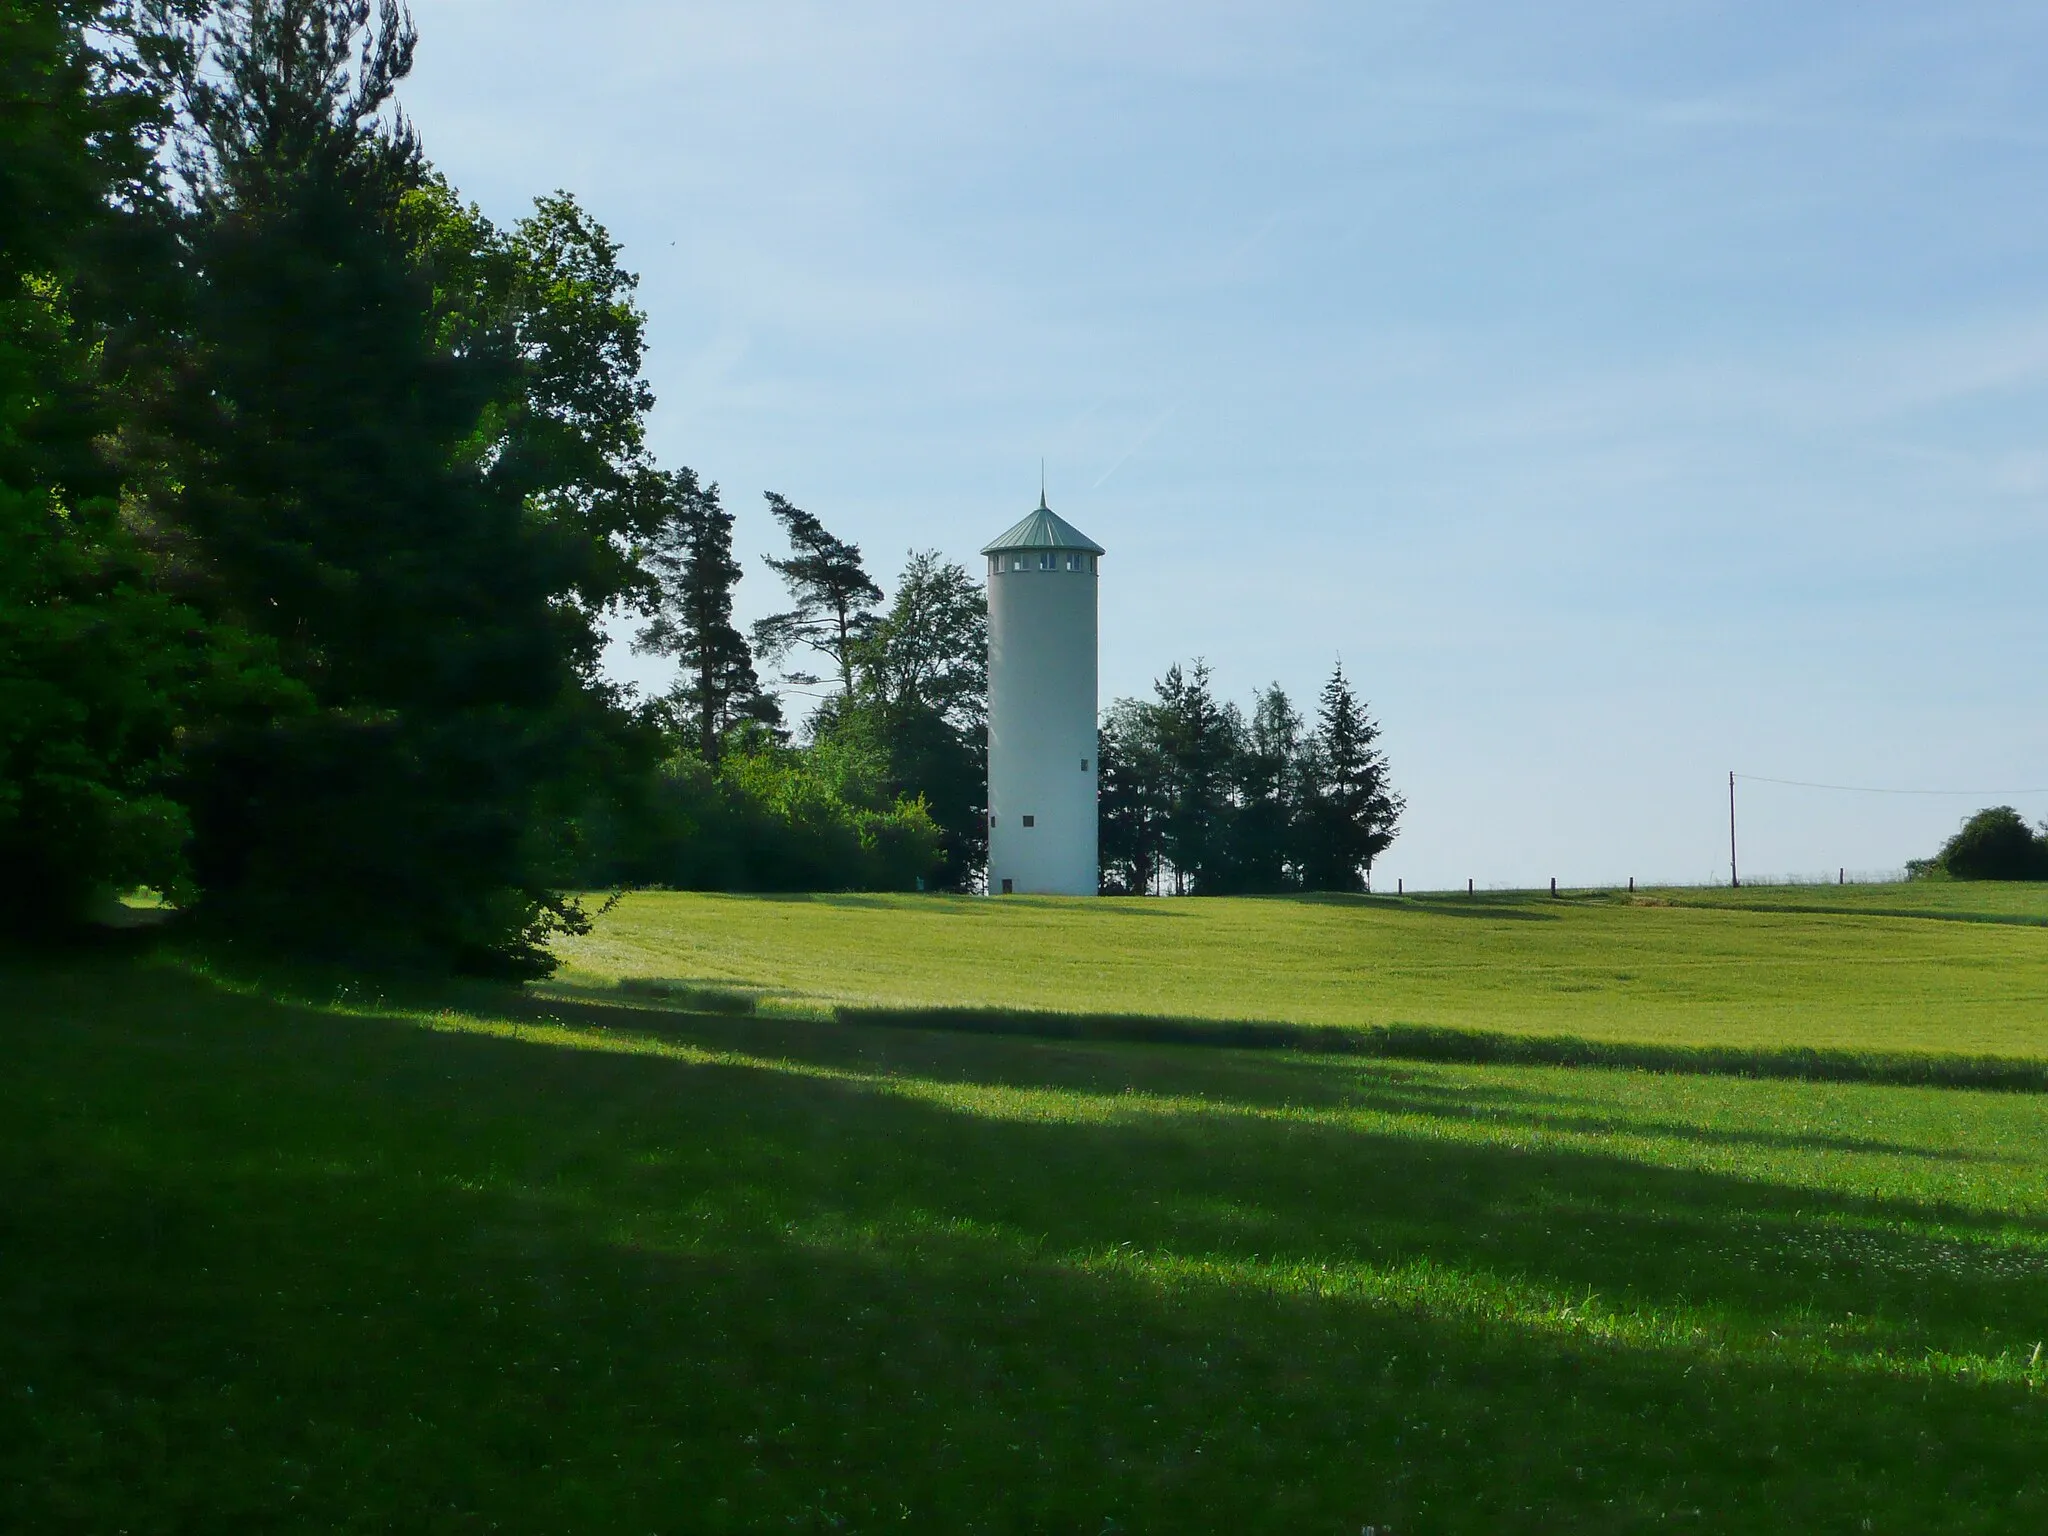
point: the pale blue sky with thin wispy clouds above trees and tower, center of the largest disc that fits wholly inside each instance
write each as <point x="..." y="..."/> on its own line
<point x="1625" y="392"/>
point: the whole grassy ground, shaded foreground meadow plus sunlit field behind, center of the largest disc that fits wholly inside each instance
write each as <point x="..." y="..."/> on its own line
<point x="294" y="1256"/>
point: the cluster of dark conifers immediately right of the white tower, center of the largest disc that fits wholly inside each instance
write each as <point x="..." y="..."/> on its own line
<point x="1203" y="802"/>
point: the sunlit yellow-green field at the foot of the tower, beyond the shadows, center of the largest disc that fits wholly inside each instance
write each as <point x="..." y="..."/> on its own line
<point x="1920" y="968"/>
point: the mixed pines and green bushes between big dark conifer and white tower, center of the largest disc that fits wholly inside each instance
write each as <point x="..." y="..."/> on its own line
<point x="886" y="781"/>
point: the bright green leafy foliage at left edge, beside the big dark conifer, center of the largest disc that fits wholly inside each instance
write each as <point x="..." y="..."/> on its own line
<point x="97" y="665"/>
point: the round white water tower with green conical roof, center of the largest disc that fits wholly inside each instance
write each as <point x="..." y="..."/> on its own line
<point x="1043" y="710"/>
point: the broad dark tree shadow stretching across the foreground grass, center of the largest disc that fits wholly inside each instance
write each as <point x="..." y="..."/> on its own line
<point x="314" y="1271"/>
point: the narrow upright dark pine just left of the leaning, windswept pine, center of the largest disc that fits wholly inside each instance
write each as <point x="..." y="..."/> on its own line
<point x="691" y="560"/>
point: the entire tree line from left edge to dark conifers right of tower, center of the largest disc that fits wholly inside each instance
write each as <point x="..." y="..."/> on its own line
<point x="318" y="490"/>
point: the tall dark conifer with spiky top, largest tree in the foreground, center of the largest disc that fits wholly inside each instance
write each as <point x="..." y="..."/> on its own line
<point x="378" y="476"/>
